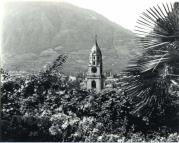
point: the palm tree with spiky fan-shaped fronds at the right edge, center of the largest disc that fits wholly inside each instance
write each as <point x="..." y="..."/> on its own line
<point x="149" y="77"/>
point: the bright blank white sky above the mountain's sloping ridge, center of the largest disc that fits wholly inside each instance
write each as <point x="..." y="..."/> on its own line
<point x="122" y="12"/>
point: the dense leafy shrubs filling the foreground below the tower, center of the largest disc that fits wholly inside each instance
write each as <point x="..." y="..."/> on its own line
<point x="37" y="109"/>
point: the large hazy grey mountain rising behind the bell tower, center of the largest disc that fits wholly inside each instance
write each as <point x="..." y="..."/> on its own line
<point x="35" y="33"/>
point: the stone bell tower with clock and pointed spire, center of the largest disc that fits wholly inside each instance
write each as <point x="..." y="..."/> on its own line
<point x="95" y="69"/>
